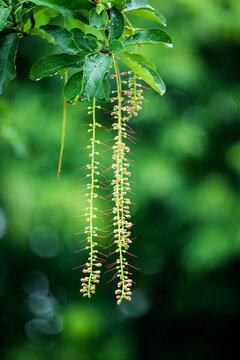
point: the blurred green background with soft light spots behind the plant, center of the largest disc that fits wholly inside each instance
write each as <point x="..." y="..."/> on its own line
<point x="186" y="304"/>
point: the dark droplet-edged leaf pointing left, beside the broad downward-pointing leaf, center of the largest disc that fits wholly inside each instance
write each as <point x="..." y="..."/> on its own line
<point x="50" y="65"/>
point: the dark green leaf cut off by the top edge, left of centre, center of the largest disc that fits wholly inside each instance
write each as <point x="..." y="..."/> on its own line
<point x="68" y="8"/>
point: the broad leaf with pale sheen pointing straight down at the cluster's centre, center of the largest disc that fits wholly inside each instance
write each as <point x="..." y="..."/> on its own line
<point x="94" y="70"/>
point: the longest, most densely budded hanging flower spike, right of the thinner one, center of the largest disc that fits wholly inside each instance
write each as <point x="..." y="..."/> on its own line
<point x="121" y="187"/>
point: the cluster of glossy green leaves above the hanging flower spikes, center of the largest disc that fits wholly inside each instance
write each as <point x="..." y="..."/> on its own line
<point x="95" y="29"/>
